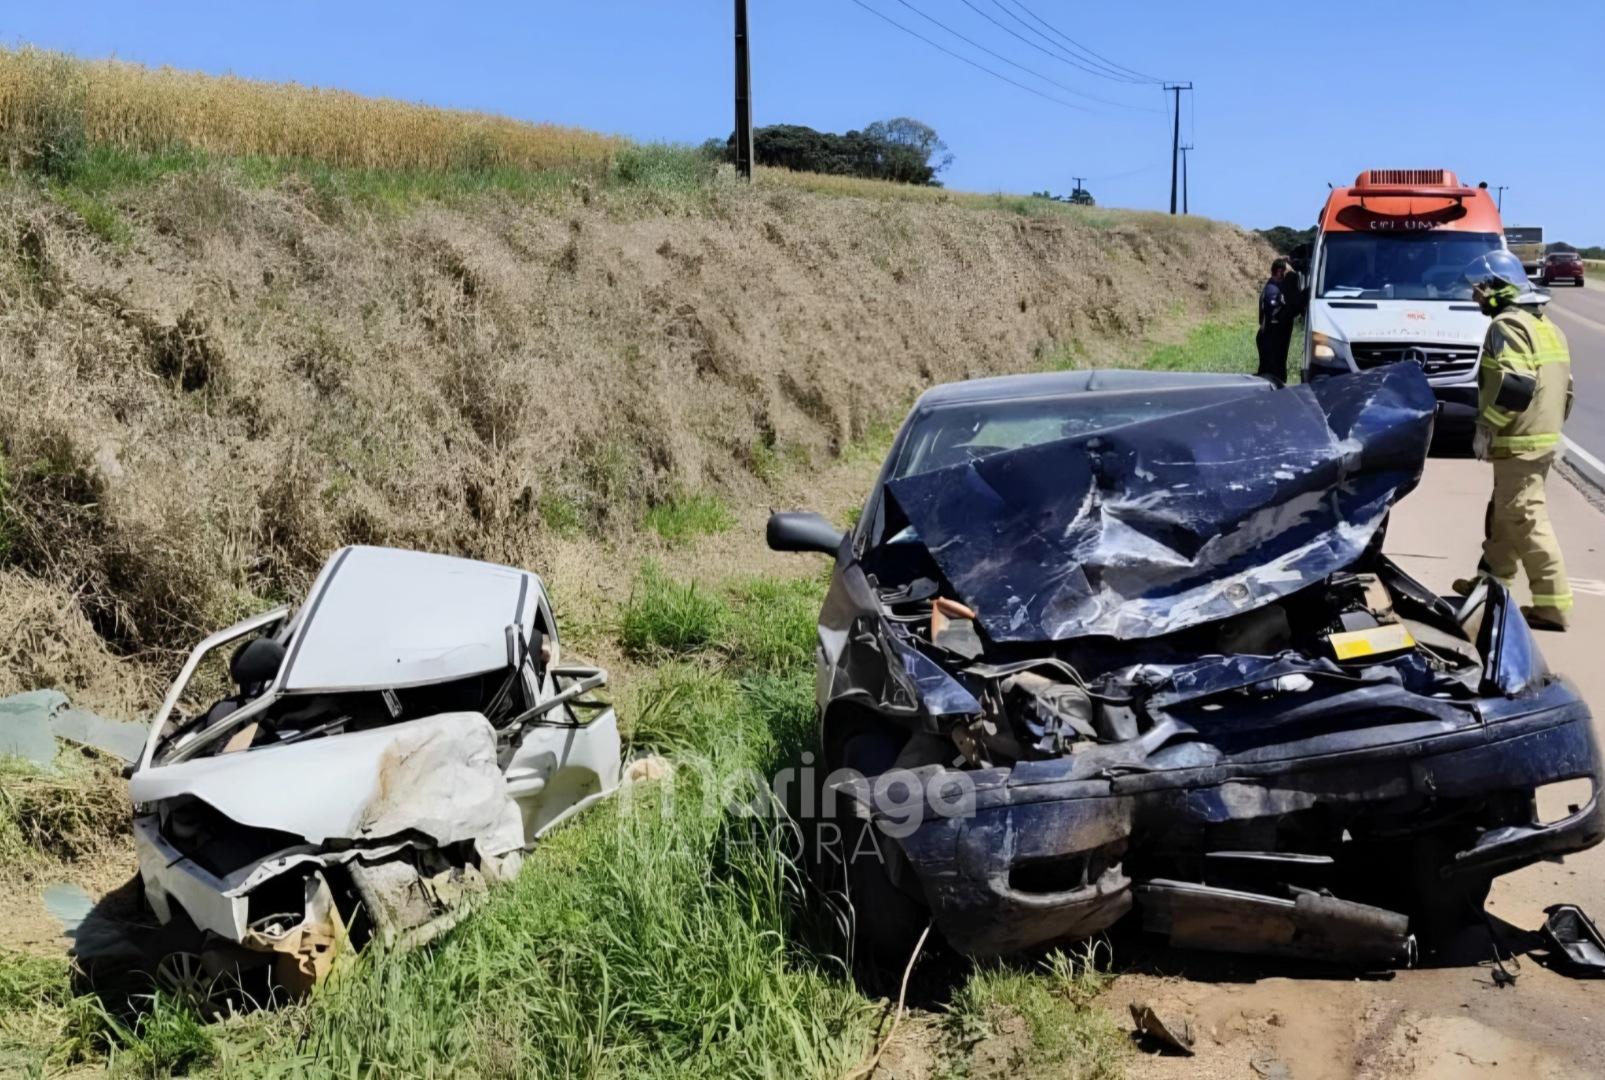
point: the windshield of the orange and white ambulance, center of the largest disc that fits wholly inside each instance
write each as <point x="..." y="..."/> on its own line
<point x="1400" y="266"/>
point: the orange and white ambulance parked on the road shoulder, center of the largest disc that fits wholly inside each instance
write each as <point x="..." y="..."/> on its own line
<point x="1386" y="283"/>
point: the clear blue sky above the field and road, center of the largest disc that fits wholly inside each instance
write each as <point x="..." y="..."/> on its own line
<point x="1290" y="95"/>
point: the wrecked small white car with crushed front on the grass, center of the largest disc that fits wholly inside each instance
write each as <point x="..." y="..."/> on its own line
<point x="386" y="753"/>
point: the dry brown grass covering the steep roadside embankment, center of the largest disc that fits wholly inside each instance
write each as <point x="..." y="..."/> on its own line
<point x="193" y="416"/>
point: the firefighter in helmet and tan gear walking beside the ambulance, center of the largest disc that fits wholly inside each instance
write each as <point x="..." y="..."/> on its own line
<point x="1524" y="396"/>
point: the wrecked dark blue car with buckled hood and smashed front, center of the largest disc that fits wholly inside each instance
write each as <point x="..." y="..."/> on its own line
<point x="1116" y="644"/>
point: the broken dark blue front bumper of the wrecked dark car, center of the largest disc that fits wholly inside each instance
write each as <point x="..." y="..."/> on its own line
<point x="1050" y="850"/>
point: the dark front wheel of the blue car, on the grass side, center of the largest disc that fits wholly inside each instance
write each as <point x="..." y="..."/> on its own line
<point x="887" y="920"/>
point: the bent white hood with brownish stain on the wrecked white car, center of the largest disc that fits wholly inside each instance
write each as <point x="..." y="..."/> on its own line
<point x="434" y="776"/>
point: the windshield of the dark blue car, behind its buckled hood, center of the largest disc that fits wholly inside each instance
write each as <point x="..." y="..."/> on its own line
<point x="954" y="434"/>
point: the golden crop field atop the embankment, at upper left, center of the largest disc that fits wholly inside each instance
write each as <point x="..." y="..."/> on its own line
<point x="47" y="100"/>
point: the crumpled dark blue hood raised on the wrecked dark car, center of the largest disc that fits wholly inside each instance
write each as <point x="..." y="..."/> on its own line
<point x="1153" y="527"/>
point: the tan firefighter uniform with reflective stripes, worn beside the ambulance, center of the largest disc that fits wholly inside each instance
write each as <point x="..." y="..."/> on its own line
<point x="1524" y="447"/>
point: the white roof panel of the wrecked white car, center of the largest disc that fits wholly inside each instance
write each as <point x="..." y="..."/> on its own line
<point x="380" y="617"/>
